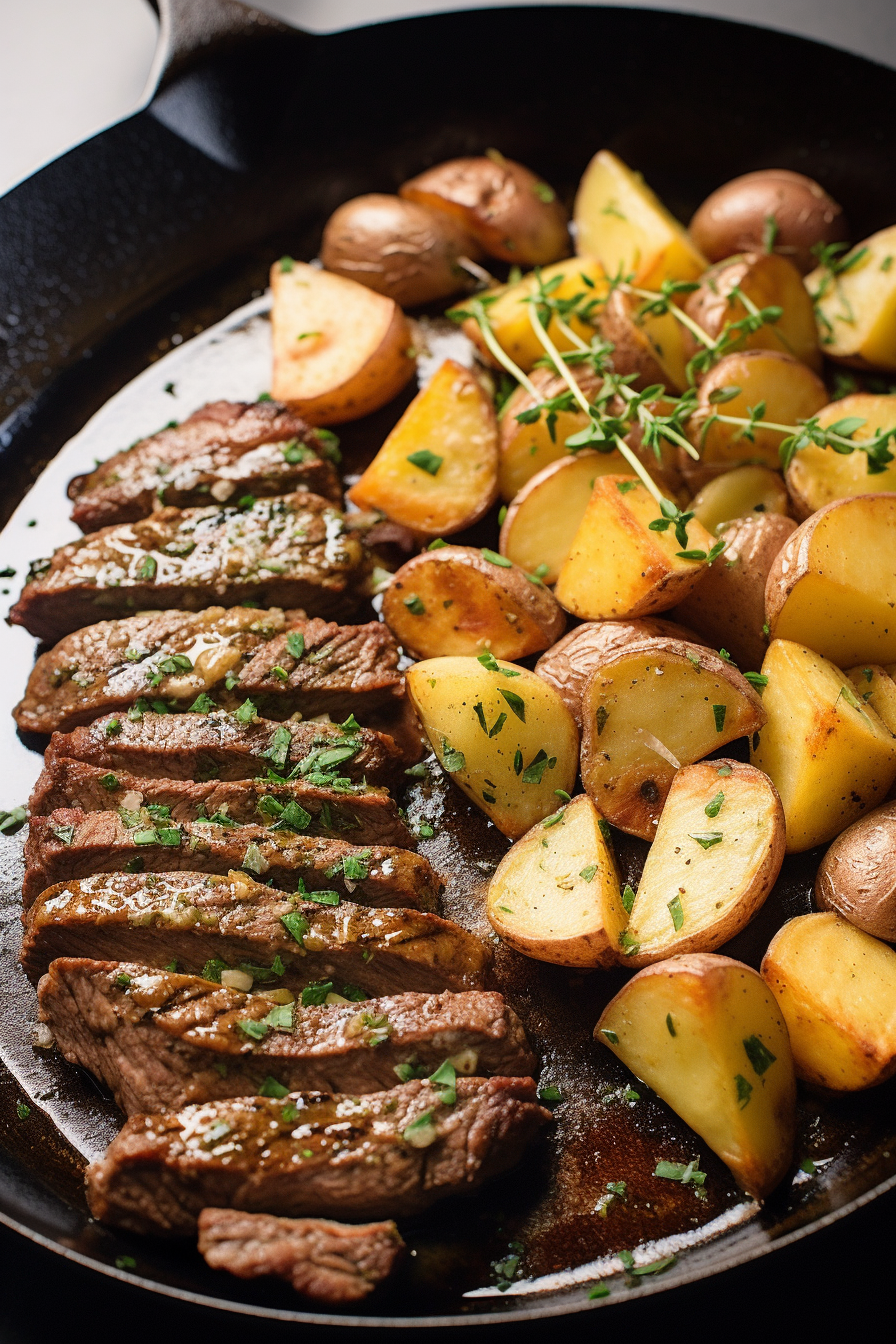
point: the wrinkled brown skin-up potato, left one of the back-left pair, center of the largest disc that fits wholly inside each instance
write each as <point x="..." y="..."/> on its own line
<point x="398" y="249"/>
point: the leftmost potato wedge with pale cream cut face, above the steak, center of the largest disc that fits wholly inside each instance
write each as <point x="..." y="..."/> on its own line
<point x="341" y="350"/>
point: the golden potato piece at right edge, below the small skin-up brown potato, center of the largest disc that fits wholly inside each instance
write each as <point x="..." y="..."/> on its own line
<point x="836" y="989"/>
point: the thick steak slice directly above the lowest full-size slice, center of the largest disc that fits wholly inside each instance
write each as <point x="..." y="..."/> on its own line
<point x="162" y="1041"/>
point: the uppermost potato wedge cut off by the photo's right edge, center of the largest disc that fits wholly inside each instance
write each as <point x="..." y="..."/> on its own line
<point x="856" y="307"/>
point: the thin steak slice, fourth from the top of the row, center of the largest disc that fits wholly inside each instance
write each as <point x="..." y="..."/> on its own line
<point x="221" y="747"/>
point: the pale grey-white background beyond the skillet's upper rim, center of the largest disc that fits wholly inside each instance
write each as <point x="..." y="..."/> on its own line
<point x="71" y="68"/>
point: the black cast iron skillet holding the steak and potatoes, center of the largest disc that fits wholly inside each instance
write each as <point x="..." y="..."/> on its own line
<point x="166" y="224"/>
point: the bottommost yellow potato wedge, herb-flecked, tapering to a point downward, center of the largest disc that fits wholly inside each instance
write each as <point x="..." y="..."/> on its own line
<point x="707" y="1034"/>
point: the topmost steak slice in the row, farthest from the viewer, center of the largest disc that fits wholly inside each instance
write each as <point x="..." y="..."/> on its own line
<point x="222" y="452"/>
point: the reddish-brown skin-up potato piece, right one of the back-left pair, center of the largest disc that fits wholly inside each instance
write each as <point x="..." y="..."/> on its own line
<point x="508" y="209"/>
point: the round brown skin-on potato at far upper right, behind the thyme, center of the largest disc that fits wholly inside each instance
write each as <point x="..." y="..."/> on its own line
<point x="733" y="218"/>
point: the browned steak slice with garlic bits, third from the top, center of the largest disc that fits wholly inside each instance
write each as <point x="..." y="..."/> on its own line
<point x="179" y="661"/>
